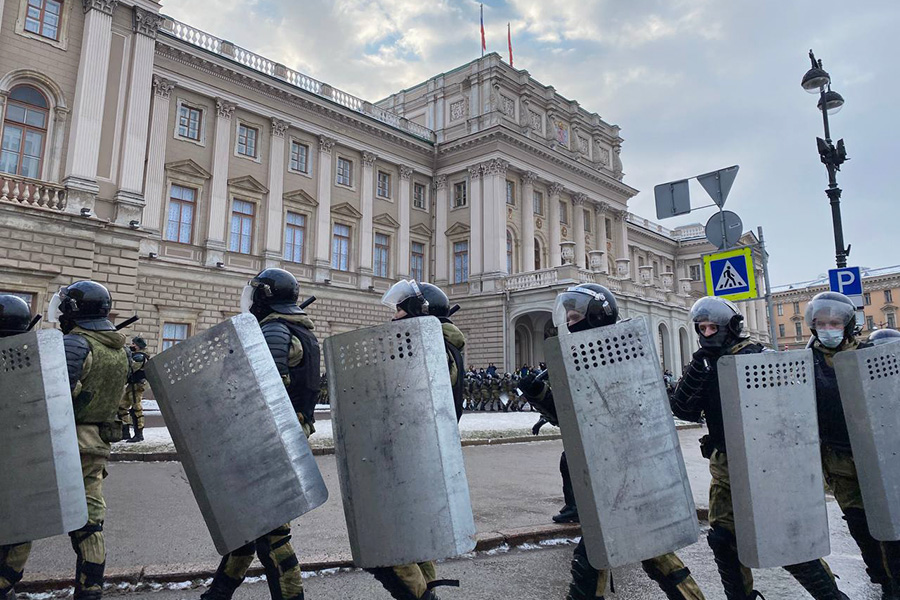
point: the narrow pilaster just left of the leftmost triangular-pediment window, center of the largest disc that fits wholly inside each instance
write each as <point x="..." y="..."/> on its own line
<point x="155" y="184"/>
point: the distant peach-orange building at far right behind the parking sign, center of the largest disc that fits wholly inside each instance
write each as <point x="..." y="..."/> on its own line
<point x="881" y="296"/>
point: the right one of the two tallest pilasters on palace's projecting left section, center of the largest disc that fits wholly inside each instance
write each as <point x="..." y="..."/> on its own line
<point x="130" y="196"/>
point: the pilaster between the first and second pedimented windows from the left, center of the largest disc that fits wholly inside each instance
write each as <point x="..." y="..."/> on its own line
<point x="218" y="193"/>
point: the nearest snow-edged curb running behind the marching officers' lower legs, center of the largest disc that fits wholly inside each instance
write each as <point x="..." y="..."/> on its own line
<point x="163" y="574"/>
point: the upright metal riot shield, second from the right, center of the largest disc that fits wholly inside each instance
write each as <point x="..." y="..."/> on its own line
<point x="772" y="434"/>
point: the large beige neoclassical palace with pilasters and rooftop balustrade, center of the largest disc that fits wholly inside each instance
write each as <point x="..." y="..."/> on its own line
<point x="172" y="166"/>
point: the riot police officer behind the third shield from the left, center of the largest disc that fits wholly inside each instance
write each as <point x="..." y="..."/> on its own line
<point x="412" y="299"/>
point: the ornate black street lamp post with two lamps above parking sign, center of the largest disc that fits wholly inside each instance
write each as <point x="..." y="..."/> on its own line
<point x="818" y="81"/>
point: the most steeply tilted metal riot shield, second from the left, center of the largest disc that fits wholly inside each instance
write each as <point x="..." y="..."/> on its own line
<point x="237" y="435"/>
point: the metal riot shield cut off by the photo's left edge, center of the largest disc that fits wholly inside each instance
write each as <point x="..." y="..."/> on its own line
<point x="42" y="493"/>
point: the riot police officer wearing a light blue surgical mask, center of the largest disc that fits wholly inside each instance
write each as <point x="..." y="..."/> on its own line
<point x="832" y="319"/>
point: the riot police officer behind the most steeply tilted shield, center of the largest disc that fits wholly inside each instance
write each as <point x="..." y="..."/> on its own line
<point x="271" y="297"/>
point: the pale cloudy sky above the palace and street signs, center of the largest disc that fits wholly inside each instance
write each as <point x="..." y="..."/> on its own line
<point x="695" y="85"/>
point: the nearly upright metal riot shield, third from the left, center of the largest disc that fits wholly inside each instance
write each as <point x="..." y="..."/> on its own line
<point x="400" y="463"/>
